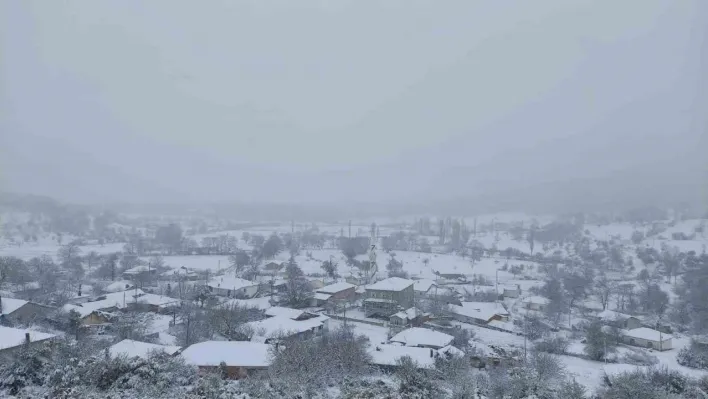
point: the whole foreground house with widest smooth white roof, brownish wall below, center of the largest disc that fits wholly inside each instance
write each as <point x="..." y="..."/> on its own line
<point x="240" y="358"/>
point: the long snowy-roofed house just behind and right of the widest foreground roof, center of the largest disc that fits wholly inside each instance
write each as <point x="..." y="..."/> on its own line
<point x="276" y="328"/>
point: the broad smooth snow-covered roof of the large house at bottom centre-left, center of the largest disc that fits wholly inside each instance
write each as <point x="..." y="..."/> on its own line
<point x="233" y="353"/>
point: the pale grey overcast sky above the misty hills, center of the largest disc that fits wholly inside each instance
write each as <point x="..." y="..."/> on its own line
<point x="171" y="100"/>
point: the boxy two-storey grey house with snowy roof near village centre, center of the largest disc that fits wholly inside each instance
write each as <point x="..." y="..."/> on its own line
<point x="389" y="296"/>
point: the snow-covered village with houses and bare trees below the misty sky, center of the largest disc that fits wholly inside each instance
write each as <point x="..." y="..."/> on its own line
<point x="496" y="306"/>
